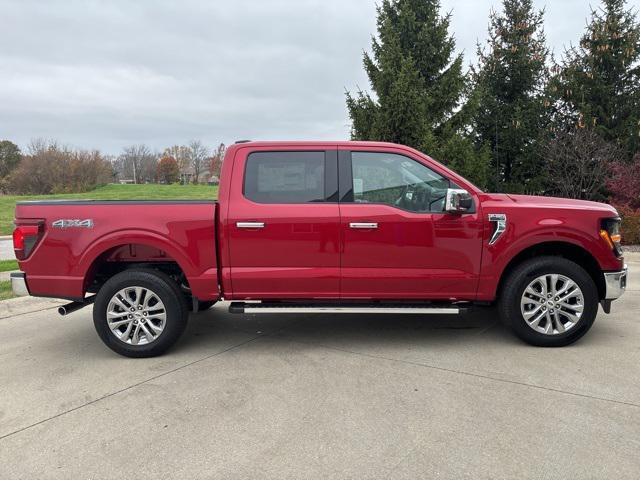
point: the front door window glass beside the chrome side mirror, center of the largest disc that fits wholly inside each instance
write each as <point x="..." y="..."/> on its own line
<point x="397" y="180"/>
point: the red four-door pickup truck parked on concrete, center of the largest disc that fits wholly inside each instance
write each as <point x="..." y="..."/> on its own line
<point x="362" y="227"/>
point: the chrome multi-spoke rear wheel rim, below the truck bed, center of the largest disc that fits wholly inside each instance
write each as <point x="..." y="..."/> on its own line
<point x="136" y="315"/>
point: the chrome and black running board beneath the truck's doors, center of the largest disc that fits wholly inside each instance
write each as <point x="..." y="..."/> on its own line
<point x="382" y="308"/>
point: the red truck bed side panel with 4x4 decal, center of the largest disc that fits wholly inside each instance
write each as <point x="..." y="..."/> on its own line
<point x="77" y="236"/>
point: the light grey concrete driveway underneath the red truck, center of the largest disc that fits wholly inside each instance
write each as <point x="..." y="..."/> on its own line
<point x="320" y="397"/>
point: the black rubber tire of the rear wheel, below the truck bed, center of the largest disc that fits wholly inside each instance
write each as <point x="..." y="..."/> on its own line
<point x="177" y="312"/>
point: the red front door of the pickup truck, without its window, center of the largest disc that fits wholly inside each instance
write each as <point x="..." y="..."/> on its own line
<point x="410" y="255"/>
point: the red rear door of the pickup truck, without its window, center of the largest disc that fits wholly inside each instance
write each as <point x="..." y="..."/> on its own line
<point x="295" y="255"/>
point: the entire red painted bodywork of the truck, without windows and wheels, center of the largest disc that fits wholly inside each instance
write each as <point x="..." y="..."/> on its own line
<point x="308" y="251"/>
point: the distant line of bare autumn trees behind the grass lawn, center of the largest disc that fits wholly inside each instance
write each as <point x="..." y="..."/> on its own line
<point x="48" y="167"/>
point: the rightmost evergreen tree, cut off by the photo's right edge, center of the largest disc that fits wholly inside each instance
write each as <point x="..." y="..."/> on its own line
<point x="598" y="82"/>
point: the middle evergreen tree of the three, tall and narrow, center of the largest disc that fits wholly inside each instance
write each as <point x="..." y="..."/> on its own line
<point x="509" y="83"/>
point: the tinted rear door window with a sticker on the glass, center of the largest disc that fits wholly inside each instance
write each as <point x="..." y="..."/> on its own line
<point x="285" y="177"/>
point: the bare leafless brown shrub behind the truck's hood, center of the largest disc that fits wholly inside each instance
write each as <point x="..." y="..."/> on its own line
<point x="577" y="163"/>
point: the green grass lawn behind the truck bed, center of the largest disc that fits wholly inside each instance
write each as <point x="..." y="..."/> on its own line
<point x="110" y="192"/>
